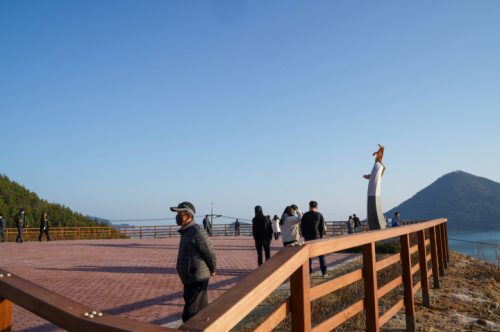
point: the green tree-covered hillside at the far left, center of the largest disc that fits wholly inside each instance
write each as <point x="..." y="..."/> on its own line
<point x="13" y="196"/>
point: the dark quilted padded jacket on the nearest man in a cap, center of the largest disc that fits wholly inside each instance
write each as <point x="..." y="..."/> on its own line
<point x="196" y="257"/>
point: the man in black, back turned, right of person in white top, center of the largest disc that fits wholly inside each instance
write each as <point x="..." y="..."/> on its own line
<point x="313" y="228"/>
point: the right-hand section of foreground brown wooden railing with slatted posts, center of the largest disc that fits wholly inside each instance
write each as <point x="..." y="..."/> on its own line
<point x="293" y="262"/>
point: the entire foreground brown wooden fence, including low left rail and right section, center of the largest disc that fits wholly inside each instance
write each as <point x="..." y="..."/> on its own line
<point x="291" y="262"/>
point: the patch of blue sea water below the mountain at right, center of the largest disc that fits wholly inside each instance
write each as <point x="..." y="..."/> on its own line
<point x="471" y="249"/>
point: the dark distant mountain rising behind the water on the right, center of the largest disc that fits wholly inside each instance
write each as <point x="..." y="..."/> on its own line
<point x="469" y="202"/>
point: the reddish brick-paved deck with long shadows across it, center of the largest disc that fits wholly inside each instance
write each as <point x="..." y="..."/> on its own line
<point x="130" y="278"/>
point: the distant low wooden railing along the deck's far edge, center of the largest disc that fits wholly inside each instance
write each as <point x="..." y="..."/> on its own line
<point x="145" y="232"/>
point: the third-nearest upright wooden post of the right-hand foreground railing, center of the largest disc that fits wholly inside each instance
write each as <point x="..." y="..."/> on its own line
<point x="408" y="283"/>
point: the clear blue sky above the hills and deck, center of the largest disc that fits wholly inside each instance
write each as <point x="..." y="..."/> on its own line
<point x="121" y="109"/>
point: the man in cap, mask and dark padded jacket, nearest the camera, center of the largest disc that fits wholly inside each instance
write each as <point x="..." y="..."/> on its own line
<point x="196" y="260"/>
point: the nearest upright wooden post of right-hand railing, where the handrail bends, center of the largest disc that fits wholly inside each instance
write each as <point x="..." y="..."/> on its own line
<point x="300" y="299"/>
